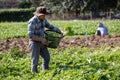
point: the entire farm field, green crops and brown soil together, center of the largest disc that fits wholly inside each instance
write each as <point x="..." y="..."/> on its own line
<point x="80" y="56"/>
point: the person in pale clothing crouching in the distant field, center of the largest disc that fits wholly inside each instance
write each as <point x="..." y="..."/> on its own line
<point x="102" y="30"/>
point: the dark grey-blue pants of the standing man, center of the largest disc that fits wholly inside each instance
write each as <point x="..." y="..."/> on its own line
<point x="37" y="49"/>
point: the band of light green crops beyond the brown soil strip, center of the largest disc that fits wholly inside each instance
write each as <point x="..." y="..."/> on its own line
<point x="70" y="28"/>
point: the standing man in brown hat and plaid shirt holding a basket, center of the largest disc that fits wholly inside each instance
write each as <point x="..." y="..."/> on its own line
<point x="37" y="42"/>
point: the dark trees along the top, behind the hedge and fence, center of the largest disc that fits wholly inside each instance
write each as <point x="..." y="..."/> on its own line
<point x="76" y="7"/>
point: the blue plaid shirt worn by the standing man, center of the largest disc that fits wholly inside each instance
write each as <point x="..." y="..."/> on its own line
<point x="36" y="27"/>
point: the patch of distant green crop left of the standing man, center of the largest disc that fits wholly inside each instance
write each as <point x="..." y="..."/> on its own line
<point x="13" y="29"/>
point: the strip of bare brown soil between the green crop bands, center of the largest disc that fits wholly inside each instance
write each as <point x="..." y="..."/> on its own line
<point x="93" y="41"/>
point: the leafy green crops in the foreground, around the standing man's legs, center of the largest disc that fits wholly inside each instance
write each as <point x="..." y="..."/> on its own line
<point x="69" y="64"/>
